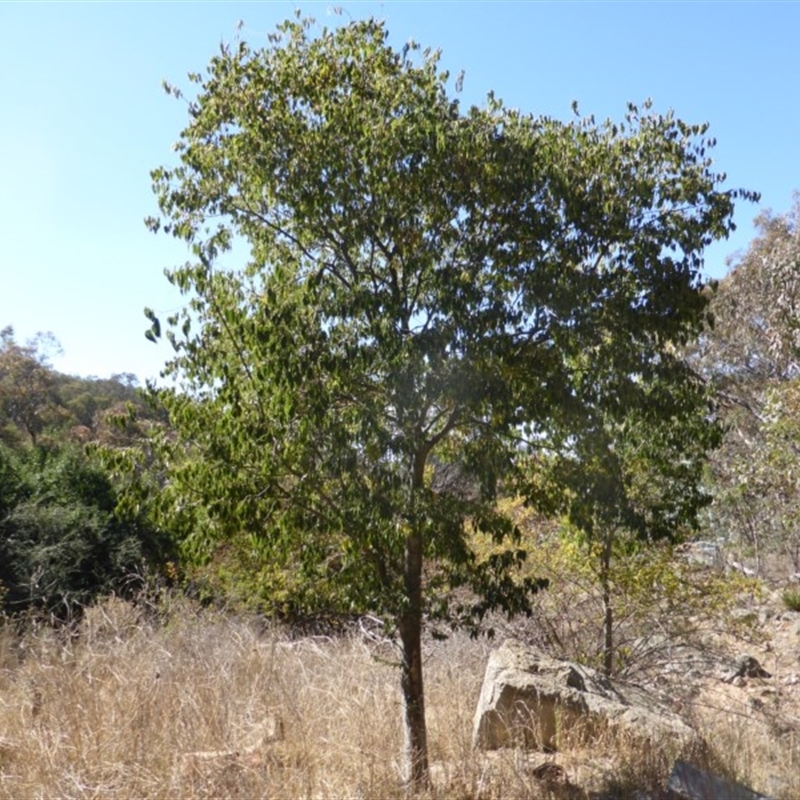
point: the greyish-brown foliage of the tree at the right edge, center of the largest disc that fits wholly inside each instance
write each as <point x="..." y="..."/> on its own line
<point x="750" y="358"/>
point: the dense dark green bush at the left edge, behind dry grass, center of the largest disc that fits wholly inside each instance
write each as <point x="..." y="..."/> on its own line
<point x="61" y="544"/>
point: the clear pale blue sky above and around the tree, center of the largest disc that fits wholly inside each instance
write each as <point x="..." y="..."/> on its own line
<point x="83" y="120"/>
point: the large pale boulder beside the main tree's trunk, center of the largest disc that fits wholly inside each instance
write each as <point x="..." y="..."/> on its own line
<point x="534" y="701"/>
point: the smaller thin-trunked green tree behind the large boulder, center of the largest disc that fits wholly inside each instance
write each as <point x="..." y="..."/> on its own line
<point x="631" y="477"/>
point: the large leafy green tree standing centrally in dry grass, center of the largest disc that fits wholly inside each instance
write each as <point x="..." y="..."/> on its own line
<point x="419" y="284"/>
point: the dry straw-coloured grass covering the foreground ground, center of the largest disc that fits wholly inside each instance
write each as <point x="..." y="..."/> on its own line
<point x="213" y="706"/>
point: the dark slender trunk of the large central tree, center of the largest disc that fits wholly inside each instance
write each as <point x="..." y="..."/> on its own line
<point x="415" y="751"/>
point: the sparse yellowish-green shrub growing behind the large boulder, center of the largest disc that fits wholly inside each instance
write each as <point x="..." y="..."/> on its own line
<point x="667" y="608"/>
